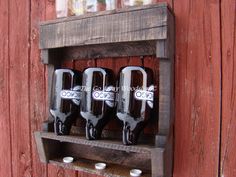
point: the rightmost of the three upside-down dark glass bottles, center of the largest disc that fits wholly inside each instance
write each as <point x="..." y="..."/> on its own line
<point x="135" y="101"/>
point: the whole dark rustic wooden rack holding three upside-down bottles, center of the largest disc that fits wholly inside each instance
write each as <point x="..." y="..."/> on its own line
<point x="136" y="31"/>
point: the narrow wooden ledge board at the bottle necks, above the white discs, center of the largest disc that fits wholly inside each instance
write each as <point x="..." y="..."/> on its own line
<point x="107" y="144"/>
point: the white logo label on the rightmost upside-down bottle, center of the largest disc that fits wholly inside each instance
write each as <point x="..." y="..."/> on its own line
<point x="145" y="95"/>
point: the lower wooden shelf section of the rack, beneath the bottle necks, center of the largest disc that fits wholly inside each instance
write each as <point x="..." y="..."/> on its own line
<point x="152" y="160"/>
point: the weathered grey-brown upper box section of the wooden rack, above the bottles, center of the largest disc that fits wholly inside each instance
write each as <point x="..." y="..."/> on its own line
<point x="129" y="32"/>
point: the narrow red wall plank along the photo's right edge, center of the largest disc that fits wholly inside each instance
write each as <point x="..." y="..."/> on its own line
<point x="228" y="141"/>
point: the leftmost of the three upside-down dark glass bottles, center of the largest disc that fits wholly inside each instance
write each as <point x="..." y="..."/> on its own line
<point x="65" y="99"/>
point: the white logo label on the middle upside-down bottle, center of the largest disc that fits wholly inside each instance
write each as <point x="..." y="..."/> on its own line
<point x="107" y="95"/>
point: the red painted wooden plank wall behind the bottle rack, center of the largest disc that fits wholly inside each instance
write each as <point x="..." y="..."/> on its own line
<point x="205" y="119"/>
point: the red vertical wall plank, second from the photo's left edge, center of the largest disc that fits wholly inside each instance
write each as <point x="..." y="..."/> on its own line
<point x="19" y="49"/>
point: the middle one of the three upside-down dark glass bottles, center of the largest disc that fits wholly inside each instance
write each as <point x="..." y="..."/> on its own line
<point x="97" y="105"/>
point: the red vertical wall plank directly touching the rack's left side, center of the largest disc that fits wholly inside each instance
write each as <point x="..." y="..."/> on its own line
<point x="37" y="85"/>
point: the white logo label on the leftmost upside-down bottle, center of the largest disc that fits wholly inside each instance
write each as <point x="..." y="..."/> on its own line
<point x="74" y="94"/>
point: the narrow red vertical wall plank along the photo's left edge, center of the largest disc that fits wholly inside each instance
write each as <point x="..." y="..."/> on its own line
<point x="5" y="135"/>
